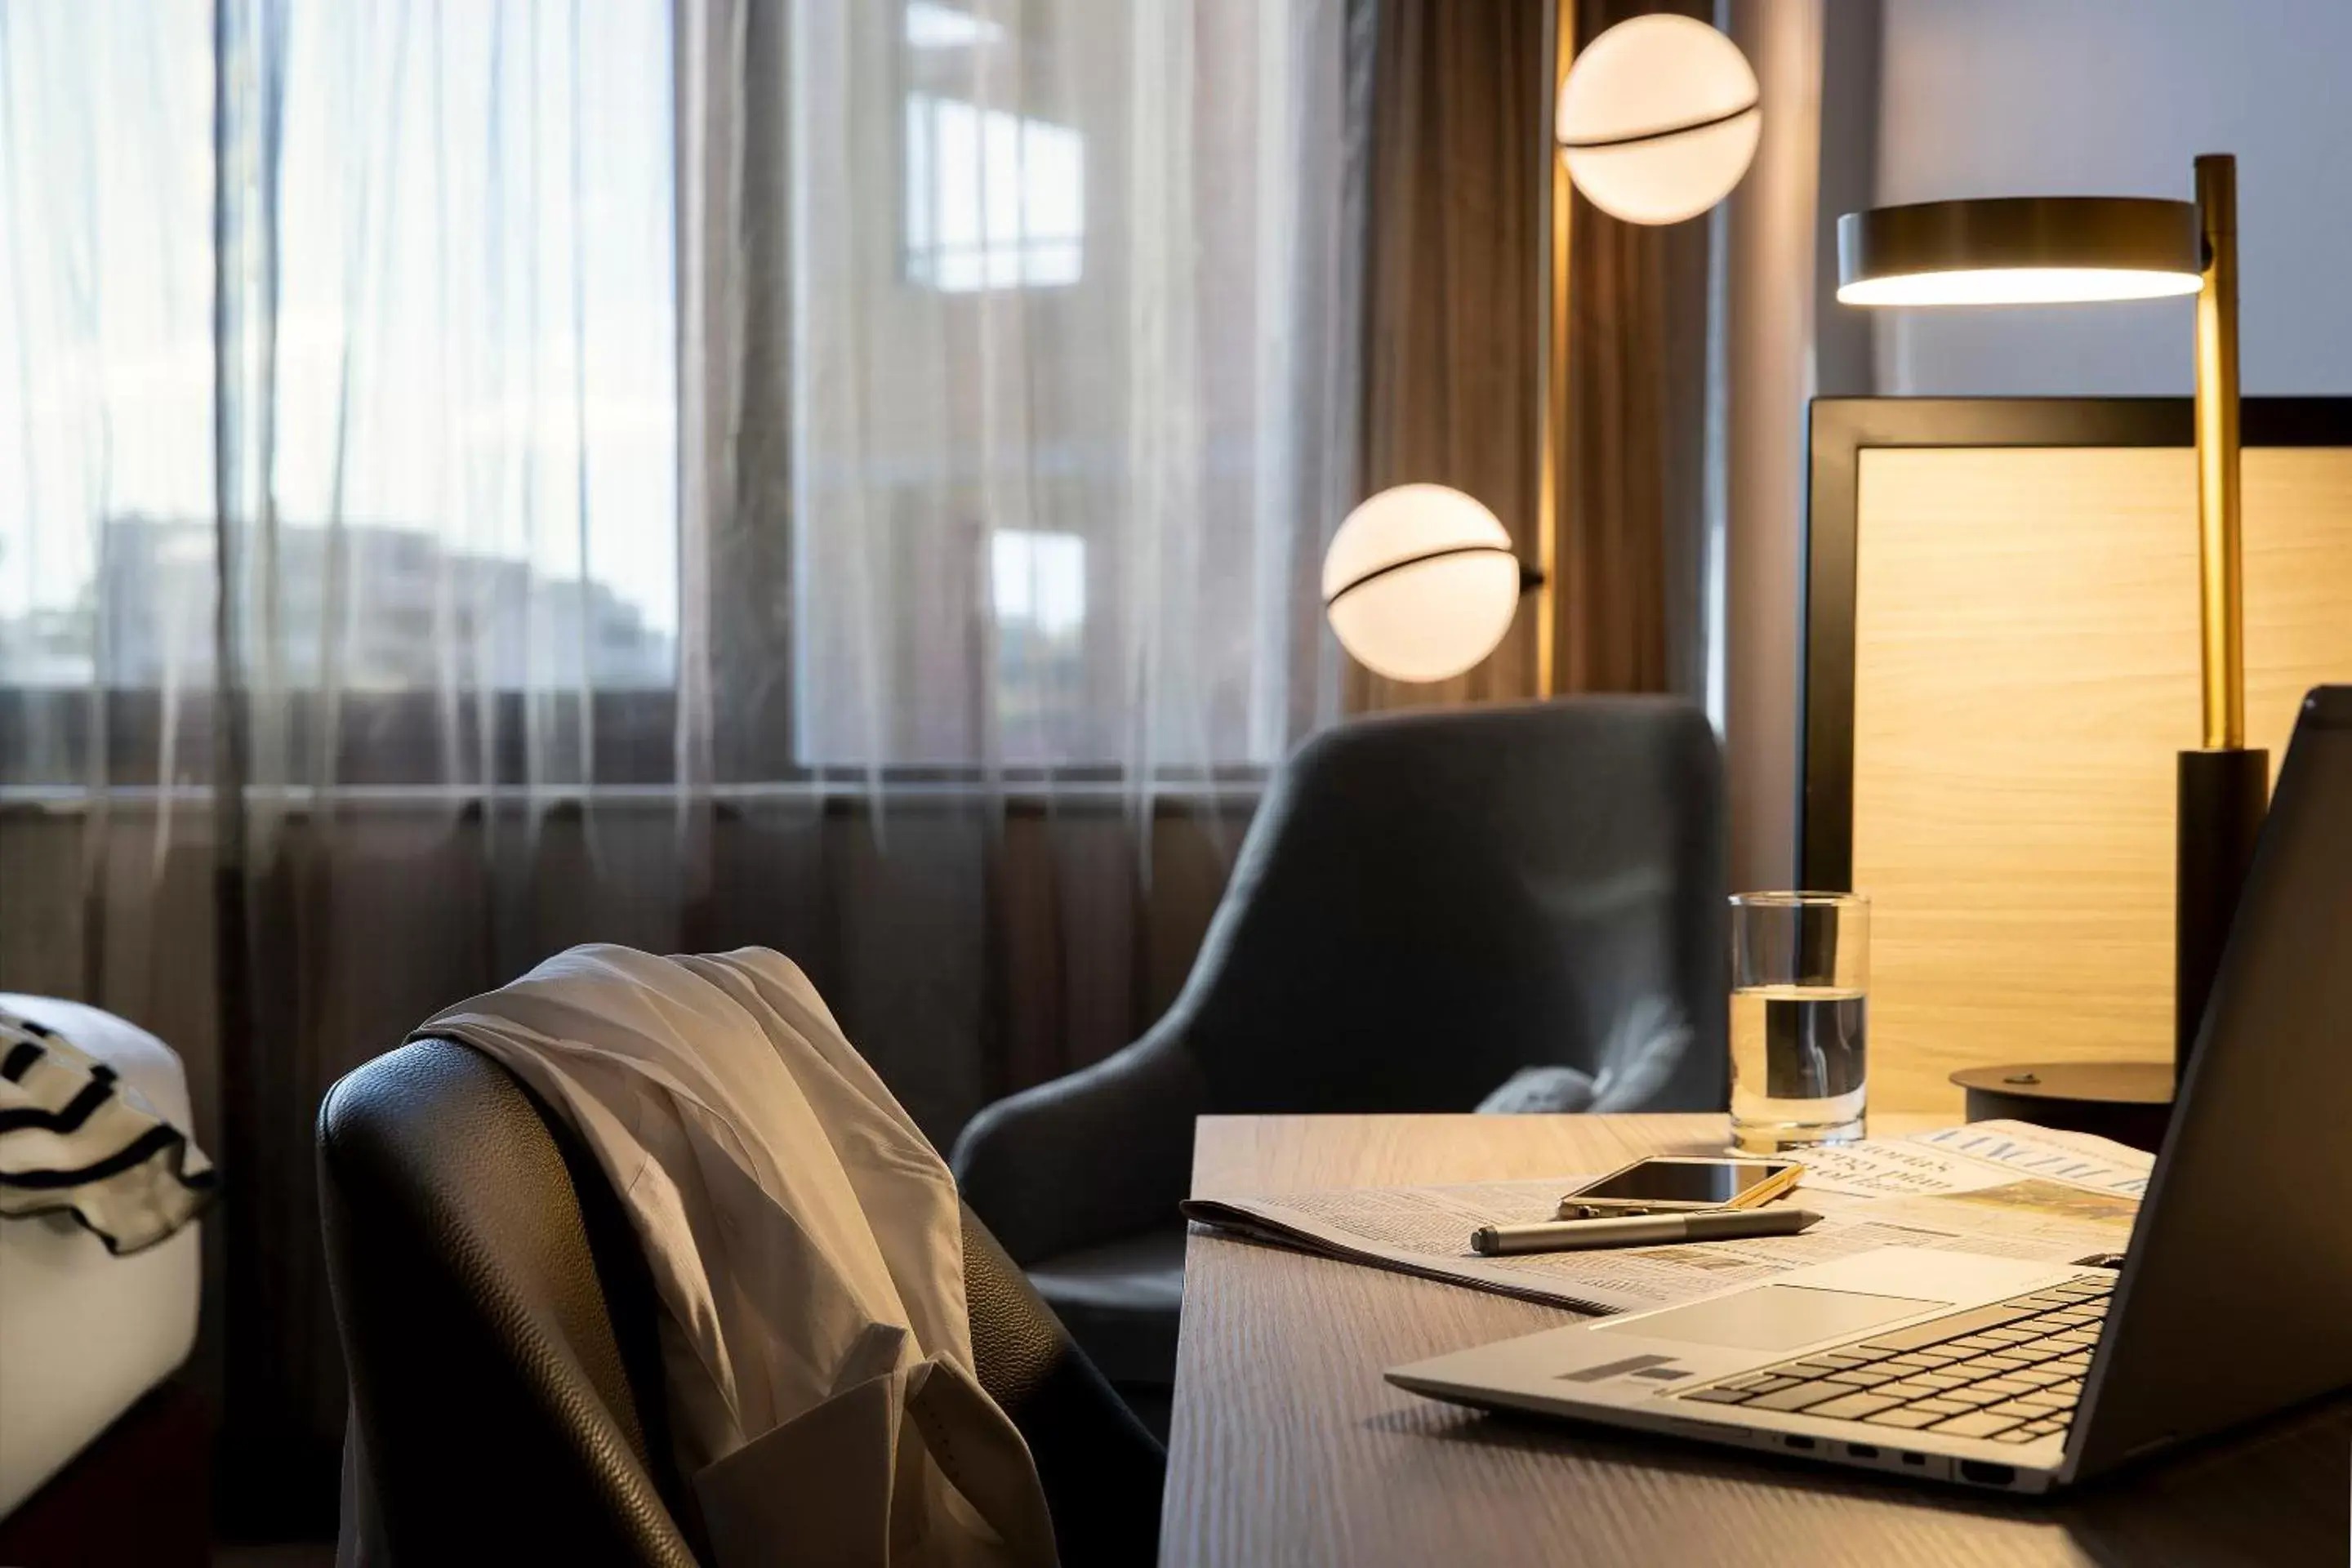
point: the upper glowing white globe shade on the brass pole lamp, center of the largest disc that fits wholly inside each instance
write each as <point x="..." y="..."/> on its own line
<point x="1659" y="119"/>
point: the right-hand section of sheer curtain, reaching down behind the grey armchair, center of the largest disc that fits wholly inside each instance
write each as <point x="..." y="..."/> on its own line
<point x="1020" y="401"/>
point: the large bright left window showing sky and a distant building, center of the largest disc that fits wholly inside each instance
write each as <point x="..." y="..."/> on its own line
<point x="474" y="342"/>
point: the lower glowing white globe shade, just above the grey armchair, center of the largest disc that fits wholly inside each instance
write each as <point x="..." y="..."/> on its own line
<point x="1422" y="582"/>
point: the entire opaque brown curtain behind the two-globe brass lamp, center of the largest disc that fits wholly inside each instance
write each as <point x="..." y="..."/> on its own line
<point x="1455" y="356"/>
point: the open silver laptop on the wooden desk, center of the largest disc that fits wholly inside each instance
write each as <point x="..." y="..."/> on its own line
<point x="2022" y="1376"/>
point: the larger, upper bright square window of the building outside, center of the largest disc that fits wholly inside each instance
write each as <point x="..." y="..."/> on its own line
<point x="991" y="201"/>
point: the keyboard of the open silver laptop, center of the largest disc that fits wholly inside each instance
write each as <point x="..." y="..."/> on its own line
<point x="2010" y="1372"/>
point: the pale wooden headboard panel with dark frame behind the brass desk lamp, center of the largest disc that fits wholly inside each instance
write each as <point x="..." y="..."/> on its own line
<point x="2000" y="669"/>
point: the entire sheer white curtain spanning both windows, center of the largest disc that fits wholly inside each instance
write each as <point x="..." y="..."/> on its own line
<point x="493" y="474"/>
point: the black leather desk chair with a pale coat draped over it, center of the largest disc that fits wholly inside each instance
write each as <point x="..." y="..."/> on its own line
<point x="497" y="1322"/>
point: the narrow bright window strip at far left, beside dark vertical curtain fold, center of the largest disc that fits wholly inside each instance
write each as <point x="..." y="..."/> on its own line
<point x="105" y="326"/>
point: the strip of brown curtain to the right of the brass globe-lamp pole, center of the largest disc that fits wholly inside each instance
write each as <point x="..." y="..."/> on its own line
<point x="1631" y="582"/>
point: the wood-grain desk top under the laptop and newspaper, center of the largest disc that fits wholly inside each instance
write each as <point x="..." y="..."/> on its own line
<point x="1290" y="1449"/>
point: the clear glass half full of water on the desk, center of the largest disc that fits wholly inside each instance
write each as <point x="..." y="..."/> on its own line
<point x="1800" y="979"/>
